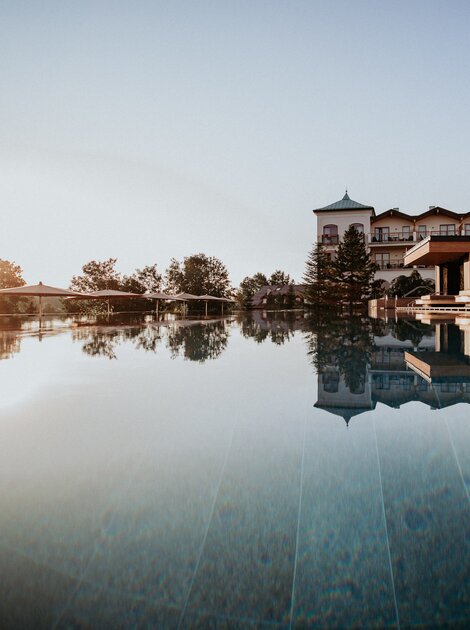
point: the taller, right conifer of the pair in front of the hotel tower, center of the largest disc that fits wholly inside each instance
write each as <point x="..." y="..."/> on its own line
<point x="354" y="269"/>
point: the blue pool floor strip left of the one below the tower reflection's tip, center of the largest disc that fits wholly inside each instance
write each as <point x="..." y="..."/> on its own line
<point x="247" y="564"/>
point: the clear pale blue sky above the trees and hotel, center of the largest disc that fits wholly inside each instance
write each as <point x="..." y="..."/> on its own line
<point x="144" y="130"/>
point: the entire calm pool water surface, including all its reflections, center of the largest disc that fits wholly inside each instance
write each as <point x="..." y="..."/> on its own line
<point x="254" y="472"/>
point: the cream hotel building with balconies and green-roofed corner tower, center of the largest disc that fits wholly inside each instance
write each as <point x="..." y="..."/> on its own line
<point x="390" y="234"/>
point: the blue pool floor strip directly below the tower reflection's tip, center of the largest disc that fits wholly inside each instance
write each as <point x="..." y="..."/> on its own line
<point x="343" y="576"/>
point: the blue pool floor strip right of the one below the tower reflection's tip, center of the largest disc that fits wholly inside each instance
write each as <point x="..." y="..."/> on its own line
<point x="428" y="516"/>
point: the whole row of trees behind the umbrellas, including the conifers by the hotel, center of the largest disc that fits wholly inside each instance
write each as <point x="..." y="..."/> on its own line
<point x="347" y="280"/>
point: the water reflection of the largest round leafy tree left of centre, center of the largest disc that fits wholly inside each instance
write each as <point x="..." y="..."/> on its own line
<point x="198" y="342"/>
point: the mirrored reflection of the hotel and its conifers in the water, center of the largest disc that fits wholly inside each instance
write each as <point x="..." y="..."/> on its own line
<point x="390" y="363"/>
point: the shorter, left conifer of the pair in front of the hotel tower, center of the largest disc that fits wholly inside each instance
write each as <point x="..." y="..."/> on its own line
<point x="319" y="278"/>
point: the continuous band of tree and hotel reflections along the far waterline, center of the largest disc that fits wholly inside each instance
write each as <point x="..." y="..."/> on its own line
<point x="359" y="361"/>
